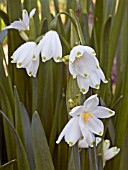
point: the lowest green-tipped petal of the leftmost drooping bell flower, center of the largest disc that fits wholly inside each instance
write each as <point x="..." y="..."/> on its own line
<point x="32" y="68"/>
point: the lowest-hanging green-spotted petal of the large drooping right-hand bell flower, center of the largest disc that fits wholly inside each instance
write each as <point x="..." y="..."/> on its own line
<point x="83" y="84"/>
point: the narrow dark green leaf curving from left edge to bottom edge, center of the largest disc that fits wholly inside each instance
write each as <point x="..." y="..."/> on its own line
<point x="23" y="161"/>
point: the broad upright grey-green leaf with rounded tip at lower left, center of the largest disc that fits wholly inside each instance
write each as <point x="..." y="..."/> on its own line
<point x="42" y="154"/>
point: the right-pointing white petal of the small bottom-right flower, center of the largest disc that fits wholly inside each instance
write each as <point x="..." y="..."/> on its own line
<point x="110" y="153"/>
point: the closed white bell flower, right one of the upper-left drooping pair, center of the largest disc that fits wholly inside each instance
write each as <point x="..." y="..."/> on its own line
<point x="50" y="46"/>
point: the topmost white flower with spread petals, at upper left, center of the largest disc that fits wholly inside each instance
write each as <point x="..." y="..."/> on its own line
<point x="23" y="24"/>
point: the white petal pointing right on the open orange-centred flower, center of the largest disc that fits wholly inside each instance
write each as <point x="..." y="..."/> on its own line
<point x="103" y="112"/>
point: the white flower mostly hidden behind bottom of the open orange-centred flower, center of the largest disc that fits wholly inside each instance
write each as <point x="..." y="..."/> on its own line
<point x="85" y="143"/>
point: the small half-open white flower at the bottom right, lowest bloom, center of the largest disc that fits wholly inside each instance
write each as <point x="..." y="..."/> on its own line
<point x="108" y="153"/>
